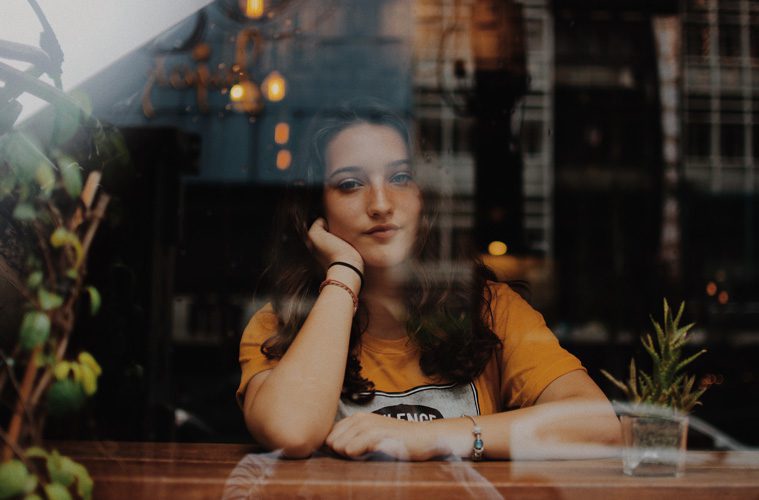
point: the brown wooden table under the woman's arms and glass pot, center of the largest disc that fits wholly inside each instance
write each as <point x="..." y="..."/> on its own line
<point x="189" y="471"/>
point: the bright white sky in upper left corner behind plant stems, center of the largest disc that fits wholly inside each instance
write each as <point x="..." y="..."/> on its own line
<point x="92" y="33"/>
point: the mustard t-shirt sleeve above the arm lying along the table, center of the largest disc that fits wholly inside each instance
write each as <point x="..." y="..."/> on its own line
<point x="532" y="357"/>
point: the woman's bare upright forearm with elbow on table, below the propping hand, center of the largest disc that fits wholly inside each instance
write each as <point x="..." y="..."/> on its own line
<point x="295" y="406"/>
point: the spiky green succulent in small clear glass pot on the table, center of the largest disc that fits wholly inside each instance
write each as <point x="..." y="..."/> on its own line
<point x="655" y="422"/>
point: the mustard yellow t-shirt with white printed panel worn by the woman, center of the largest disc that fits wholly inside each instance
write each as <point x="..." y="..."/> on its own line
<point x="514" y="377"/>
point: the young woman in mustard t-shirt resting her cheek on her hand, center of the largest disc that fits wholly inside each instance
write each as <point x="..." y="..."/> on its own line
<point x="358" y="331"/>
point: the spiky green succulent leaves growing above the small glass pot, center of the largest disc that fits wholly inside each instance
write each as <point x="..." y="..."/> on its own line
<point x="667" y="385"/>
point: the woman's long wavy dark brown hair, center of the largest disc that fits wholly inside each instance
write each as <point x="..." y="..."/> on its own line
<point x="448" y="316"/>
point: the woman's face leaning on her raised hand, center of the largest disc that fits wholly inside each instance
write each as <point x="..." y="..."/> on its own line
<point x="370" y="197"/>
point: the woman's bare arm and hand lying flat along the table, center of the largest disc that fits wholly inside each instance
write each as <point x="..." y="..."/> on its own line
<point x="571" y="419"/>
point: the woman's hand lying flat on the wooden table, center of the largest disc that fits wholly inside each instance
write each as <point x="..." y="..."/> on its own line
<point x="364" y="433"/>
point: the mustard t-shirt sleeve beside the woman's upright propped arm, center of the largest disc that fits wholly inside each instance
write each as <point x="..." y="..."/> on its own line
<point x="261" y="326"/>
